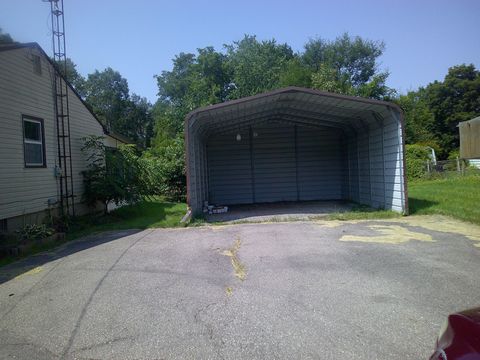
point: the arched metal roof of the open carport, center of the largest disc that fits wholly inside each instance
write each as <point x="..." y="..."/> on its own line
<point x="295" y="105"/>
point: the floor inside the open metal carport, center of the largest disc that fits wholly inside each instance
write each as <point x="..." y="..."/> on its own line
<point x="280" y="211"/>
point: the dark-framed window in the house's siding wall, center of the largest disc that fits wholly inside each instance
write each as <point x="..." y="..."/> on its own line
<point x="33" y="142"/>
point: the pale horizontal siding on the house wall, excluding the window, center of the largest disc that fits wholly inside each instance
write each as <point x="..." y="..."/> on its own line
<point x="27" y="190"/>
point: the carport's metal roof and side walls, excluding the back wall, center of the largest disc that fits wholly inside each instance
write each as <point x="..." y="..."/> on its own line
<point x="375" y="171"/>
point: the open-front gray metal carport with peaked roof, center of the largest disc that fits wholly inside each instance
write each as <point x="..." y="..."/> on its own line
<point x="296" y="144"/>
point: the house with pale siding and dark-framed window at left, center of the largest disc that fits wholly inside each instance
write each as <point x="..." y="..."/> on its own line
<point x="29" y="140"/>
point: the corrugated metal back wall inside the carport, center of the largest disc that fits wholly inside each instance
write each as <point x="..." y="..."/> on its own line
<point x="276" y="162"/>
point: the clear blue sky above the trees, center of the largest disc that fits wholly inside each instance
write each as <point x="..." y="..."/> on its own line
<point x="139" y="38"/>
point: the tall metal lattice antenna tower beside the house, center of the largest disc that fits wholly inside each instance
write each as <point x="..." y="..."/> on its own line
<point x="62" y="114"/>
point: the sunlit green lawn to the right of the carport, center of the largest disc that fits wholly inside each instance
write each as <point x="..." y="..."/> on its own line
<point x="458" y="197"/>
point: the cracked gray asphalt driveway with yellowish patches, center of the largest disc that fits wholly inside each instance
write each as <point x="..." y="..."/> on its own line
<point x="329" y="290"/>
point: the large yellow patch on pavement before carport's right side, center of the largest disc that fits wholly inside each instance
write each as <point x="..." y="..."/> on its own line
<point x="390" y="234"/>
